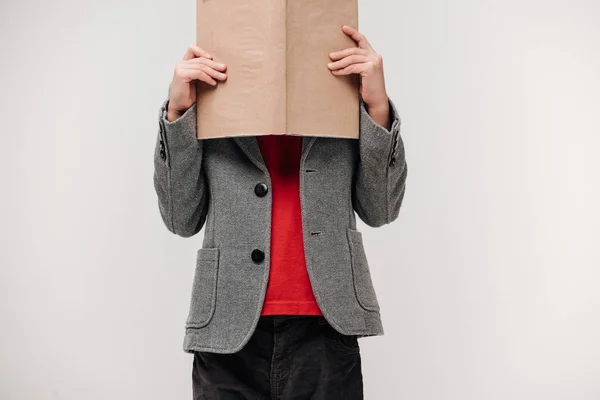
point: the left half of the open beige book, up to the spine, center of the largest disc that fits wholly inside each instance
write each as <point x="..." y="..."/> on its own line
<point x="249" y="37"/>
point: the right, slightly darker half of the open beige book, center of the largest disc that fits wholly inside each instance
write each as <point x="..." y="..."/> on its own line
<point x="318" y="102"/>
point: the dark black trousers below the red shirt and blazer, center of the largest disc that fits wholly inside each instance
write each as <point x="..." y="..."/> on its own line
<point x="288" y="357"/>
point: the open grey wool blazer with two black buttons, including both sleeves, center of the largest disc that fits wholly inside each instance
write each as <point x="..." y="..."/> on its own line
<point x="216" y="184"/>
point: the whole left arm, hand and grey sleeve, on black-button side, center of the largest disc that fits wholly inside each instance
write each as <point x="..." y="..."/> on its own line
<point x="179" y="179"/>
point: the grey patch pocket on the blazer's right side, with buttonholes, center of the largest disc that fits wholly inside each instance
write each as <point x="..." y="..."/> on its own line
<point x="361" y="275"/>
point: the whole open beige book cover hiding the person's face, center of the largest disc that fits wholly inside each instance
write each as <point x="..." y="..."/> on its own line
<point x="276" y="52"/>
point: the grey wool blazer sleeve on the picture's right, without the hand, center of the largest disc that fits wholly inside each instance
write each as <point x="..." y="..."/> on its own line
<point x="380" y="177"/>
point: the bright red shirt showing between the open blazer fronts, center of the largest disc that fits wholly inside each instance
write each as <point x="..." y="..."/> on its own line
<point x="289" y="290"/>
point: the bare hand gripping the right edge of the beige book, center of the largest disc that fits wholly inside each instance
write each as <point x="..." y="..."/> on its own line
<point x="365" y="61"/>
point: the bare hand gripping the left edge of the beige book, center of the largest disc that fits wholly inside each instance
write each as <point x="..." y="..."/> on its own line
<point x="197" y="65"/>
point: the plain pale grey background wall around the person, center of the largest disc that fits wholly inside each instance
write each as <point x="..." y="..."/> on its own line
<point x="495" y="294"/>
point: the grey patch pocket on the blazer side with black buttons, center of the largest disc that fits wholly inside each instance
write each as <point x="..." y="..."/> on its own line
<point x="204" y="289"/>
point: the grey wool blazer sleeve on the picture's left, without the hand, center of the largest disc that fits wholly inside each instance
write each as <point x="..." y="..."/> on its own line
<point x="179" y="179"/>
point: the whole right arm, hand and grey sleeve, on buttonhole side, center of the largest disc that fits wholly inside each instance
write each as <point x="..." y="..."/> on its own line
<point x="380" y="177"/>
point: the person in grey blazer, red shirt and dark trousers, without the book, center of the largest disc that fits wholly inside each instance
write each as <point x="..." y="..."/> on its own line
<point x="282" y="288"/>
